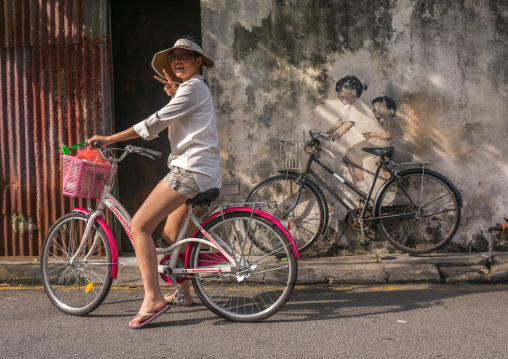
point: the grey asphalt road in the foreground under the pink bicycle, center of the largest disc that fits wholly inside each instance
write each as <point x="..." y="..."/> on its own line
<point x="416" y="321"/>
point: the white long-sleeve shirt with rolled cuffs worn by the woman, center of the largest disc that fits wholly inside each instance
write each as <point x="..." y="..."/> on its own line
<point x="193" y="135"/>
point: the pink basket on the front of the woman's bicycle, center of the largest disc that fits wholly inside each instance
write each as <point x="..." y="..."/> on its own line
<point x="83" y="179"/>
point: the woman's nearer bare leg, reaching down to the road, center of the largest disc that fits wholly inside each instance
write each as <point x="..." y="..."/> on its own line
<point x="160" y="203"/>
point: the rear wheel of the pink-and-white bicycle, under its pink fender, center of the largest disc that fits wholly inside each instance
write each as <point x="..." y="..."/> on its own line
<point x="261" y="282"/>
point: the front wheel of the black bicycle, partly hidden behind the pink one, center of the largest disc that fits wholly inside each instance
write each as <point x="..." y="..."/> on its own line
<point x="307" y="220"/>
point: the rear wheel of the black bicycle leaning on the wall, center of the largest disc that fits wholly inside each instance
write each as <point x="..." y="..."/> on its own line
<point x="418" y="231"/>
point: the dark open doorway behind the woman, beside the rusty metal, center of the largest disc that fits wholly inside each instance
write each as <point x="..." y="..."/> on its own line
<point x="140" y="29"/>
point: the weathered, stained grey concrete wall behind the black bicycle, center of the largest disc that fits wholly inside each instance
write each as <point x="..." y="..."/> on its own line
<point x="444" y="62"/>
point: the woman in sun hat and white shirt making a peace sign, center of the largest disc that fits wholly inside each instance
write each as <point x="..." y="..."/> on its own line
<point x="194" y="163"/>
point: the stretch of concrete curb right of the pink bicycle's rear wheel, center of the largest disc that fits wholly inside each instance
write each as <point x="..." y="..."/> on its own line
<point x="404" y="268"/>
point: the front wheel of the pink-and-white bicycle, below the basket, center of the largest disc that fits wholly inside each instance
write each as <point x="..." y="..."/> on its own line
<point x="78" y="288"/>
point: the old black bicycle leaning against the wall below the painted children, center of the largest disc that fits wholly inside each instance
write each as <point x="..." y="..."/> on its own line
<point x="417" y="210"/>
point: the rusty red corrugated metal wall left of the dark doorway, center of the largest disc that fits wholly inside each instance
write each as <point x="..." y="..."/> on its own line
<point x="55" y="87"/>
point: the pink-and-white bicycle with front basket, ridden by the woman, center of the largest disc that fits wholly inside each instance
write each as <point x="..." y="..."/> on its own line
<point x="241" y="260"/>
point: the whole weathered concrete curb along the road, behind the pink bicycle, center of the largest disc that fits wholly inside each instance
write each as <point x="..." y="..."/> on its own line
<point x="363" y="269"/>
